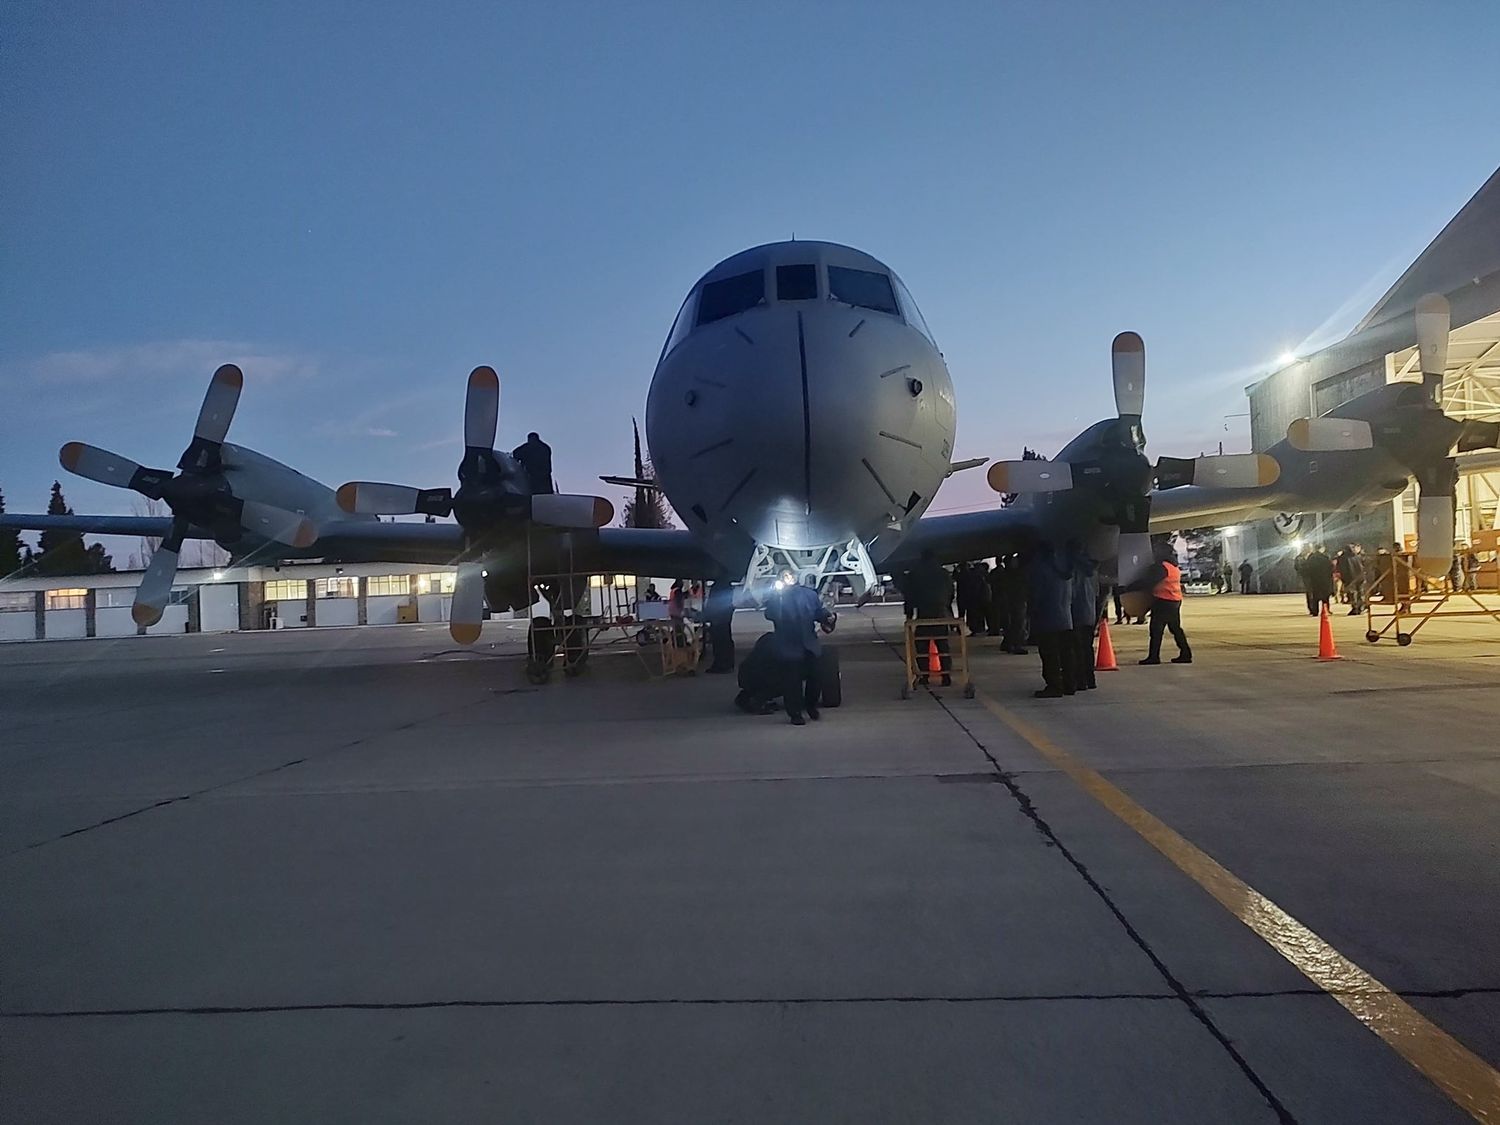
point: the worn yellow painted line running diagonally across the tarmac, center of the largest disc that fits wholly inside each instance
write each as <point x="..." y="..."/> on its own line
<point x="1462" y="1075"/>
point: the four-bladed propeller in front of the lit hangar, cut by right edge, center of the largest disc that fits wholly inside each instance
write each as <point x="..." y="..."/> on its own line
<point x="1420" y="436"/>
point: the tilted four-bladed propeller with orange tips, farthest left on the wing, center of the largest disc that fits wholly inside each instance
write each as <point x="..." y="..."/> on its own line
<point x="199" y="494"/>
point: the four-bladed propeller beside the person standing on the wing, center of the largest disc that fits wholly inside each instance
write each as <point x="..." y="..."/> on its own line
<point x="494" y="496"/>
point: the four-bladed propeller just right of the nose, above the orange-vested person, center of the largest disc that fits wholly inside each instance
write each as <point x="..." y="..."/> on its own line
<point x="1121" y="475"/>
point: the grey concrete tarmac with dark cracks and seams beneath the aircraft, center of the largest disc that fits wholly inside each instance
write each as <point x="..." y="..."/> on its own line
<point x="356" y="875"/>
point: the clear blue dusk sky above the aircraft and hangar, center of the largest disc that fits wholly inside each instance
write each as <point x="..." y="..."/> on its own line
<point x="359" y="203"/>
